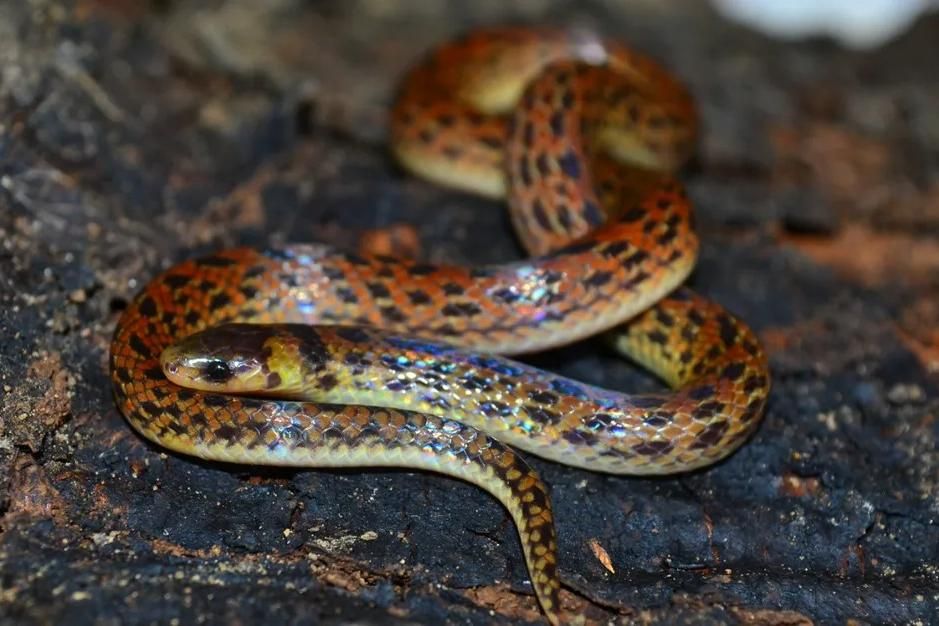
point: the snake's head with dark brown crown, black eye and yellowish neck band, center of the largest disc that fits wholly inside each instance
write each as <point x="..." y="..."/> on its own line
<point x="231" y="358"/>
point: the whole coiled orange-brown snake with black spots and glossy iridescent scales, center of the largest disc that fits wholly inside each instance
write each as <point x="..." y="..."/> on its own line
<point x="310" y="356"/>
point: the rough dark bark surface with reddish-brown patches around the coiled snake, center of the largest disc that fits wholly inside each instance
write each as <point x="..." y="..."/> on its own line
<point x="134" y="135"/>
